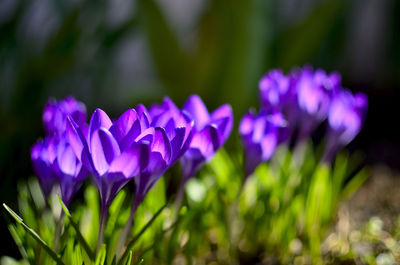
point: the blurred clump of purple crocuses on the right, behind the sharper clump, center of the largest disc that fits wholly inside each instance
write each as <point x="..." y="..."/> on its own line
<point x="296" y="104"/>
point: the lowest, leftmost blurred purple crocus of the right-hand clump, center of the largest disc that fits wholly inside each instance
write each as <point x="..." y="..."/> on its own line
<point x="261" y="134"/>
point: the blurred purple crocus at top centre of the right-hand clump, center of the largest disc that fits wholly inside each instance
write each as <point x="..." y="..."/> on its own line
<point x="314" y="91"/>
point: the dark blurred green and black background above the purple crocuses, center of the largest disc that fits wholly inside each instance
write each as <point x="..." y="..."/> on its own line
<point x="114" y="54"/>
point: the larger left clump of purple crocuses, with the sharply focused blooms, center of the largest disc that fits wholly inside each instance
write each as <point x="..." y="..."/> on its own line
<point x="141" y="144"/>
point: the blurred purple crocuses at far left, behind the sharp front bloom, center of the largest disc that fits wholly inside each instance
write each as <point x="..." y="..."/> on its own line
<point x="53" y="159"/>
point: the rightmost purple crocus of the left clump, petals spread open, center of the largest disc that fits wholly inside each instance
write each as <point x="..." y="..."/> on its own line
<point x="211" y="132"/>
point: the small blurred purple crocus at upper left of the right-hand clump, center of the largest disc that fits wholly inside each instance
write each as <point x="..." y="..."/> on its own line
<point x="274" y="90"/>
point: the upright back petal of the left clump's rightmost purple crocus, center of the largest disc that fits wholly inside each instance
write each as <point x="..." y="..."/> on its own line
<point x="197" y="111"/>
